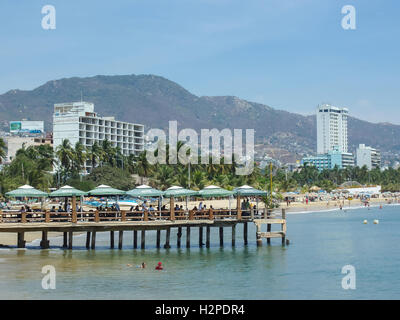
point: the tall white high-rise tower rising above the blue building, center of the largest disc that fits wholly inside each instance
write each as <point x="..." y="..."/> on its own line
<point x="331" y="128"/>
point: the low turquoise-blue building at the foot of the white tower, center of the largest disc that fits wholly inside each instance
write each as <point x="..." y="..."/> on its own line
<point x="331" y="159"/>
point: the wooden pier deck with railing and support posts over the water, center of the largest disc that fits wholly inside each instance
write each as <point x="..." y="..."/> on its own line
<point x="127" y="221"/>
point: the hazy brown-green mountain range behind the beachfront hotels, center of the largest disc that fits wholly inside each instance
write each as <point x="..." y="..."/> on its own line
<point x="154" y="100"/>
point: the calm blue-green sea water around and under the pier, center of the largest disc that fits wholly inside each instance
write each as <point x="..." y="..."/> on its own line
<point x="309" y="268"/>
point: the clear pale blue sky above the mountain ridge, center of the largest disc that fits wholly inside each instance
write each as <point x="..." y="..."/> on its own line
<point x="288" y="54"/>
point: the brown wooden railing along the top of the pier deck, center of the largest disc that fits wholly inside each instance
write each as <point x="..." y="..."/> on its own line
<point x="9" y="216"/>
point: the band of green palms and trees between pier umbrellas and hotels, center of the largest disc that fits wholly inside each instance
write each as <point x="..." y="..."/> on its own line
<point x="34" y="166"/>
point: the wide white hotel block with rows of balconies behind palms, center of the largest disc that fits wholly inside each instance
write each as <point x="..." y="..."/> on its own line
<point x="78" y="122"/>
